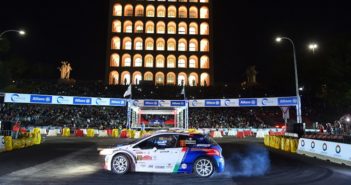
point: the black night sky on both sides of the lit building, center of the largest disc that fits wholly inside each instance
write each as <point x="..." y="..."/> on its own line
<point x="76" y="31"/>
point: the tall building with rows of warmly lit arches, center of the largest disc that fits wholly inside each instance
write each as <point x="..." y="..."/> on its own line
<point x="163" y="42"/>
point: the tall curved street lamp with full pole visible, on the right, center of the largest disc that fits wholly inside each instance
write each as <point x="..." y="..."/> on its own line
<point x="298" y="112"/>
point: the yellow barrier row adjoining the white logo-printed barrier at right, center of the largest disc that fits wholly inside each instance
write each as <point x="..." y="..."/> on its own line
<point x="283" y="143"/>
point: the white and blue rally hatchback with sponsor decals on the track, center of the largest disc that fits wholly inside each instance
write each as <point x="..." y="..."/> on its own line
<point x="167" y="153"/>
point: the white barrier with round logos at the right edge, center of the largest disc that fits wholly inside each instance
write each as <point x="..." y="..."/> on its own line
<point x="326" y="150"/>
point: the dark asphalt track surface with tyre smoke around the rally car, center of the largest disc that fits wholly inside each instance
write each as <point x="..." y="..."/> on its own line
<point x="76" y="161"/>
